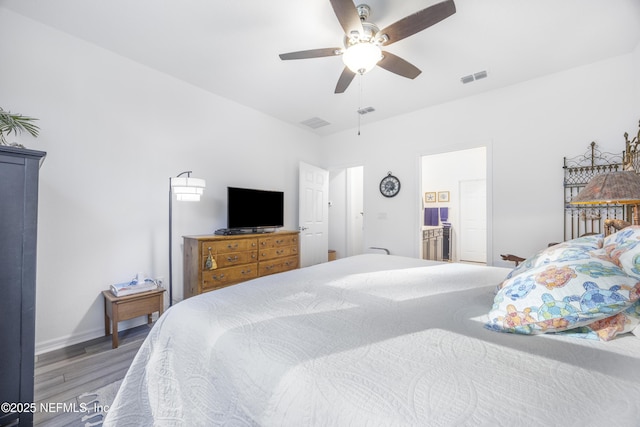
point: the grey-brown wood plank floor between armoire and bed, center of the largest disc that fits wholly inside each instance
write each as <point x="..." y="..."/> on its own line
<point x="63" y="375"/>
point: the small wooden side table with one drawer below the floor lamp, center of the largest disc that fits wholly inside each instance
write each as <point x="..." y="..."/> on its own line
<point x="128" y="307"/>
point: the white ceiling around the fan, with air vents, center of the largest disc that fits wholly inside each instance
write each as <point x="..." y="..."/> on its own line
<point x="231" y="48"/>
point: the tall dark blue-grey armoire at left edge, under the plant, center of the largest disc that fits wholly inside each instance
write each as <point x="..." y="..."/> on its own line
<point x="19" y="169"/>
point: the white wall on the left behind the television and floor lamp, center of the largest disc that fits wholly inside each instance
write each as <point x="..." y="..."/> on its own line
<point x="115" y="131"/>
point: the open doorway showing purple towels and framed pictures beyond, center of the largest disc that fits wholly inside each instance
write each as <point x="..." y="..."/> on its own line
<point x="462" y="177"/>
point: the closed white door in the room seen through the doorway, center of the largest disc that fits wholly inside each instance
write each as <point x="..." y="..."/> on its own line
<point x="473" y="220"/>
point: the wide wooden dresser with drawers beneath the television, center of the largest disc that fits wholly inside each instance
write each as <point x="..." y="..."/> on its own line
<point x="213" y="262"/>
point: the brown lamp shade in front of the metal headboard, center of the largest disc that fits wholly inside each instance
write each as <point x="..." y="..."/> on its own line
<point x="612" y="187"/>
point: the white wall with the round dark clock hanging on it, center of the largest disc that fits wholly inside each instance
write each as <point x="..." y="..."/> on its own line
<point x="528" y="128"/>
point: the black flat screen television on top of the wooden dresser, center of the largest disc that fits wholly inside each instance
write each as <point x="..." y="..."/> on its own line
<point x="255" y="210"/>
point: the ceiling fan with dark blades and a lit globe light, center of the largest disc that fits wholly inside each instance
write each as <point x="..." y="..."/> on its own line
<point x="363" y="40"/>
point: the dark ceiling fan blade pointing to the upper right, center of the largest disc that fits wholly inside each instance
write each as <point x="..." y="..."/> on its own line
<point x="418" y="21"/>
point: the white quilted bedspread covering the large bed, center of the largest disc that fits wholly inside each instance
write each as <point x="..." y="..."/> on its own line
<point x="370" y="340"/>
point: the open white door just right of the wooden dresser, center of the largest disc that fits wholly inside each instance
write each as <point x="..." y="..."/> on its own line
<point x="313" y="214"/>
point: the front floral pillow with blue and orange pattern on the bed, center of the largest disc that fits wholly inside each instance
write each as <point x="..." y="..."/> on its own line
<point x="574" y="291"/>
